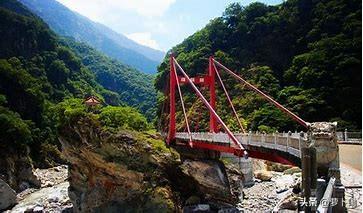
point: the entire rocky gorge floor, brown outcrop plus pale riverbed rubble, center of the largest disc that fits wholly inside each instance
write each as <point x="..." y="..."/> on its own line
<point x="110" y="171"/>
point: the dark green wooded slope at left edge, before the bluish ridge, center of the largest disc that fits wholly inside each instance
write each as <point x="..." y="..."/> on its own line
<point x="36" y="73"/>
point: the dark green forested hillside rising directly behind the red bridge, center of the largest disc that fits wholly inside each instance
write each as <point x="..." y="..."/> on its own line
<point x="306" y="54"/>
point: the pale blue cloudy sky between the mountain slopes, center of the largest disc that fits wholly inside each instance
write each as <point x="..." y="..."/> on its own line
<point x="159" y="24"/>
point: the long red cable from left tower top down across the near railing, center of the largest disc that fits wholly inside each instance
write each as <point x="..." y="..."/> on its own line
<point x="200" y="95"/>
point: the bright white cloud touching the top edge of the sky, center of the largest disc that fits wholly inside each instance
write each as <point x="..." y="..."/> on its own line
<point x="148" y="8"/>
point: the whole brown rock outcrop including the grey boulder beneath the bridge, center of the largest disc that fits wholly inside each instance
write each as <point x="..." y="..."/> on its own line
<point x="132" y="170"/>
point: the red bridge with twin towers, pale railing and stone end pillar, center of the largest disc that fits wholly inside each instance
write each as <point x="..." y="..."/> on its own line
<point x="315" y="151"/>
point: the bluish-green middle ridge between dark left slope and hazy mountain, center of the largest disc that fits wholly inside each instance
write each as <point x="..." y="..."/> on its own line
<point x="135" y="88"/>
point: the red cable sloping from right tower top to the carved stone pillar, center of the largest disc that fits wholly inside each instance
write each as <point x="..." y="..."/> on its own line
<point x="279" y="106"/>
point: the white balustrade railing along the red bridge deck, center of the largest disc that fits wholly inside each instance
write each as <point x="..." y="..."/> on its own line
<point x="285" y="142"/>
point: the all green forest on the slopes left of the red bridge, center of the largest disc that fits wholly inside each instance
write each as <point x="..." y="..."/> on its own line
<point x="43" y="83"/>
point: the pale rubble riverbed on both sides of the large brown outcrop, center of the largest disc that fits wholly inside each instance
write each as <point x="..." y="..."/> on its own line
<point x="266" y="194"/>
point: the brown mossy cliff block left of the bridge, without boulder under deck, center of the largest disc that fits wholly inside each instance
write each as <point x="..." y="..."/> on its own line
<point x="125" y="170"/>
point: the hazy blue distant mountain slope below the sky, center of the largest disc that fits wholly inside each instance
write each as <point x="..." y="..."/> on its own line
<point x="68" y="23"/>
